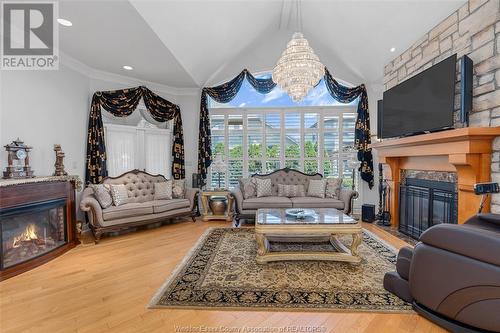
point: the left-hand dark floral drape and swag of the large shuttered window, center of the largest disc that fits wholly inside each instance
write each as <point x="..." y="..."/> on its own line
<point x="222" y="94"/>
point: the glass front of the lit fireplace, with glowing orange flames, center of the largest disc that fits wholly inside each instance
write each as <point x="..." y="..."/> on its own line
<point x="31" y="230"/>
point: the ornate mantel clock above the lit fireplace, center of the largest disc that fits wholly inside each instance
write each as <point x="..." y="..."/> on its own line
<point x="18" y="161"/>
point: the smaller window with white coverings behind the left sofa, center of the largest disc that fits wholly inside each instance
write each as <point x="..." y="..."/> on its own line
<point x="138" y="147"/>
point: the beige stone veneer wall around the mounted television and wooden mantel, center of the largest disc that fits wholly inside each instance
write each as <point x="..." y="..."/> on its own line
<point x="474" y="30"/>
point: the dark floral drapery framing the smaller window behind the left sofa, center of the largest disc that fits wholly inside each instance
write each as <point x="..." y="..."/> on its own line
<point x="121" y="103"/>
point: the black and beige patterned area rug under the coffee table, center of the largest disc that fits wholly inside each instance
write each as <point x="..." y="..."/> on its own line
<point x="220" y="272"/>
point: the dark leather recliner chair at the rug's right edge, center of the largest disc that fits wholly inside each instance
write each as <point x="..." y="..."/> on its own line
<point x="452" y="275"/>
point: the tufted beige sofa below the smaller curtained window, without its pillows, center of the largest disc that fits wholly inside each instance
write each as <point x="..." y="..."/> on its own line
<point x="141" y="209"/>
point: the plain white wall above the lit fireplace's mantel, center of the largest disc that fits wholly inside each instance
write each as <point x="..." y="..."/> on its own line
<point x="43" y="108"/>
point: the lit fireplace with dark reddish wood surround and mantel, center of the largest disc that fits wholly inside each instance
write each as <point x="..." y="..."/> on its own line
<point x="37" y="222"/>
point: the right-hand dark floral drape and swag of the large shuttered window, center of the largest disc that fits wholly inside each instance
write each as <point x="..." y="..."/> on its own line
<point x="362" y="138"/>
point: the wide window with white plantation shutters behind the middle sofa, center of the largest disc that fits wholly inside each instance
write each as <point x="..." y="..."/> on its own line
<point x="310" y="139"/>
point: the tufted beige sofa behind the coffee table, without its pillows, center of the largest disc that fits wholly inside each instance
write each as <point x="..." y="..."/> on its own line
<point x="246" y="208"/>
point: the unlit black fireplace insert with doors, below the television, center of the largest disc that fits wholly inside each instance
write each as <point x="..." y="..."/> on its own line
<point x="424" y="203"/>
